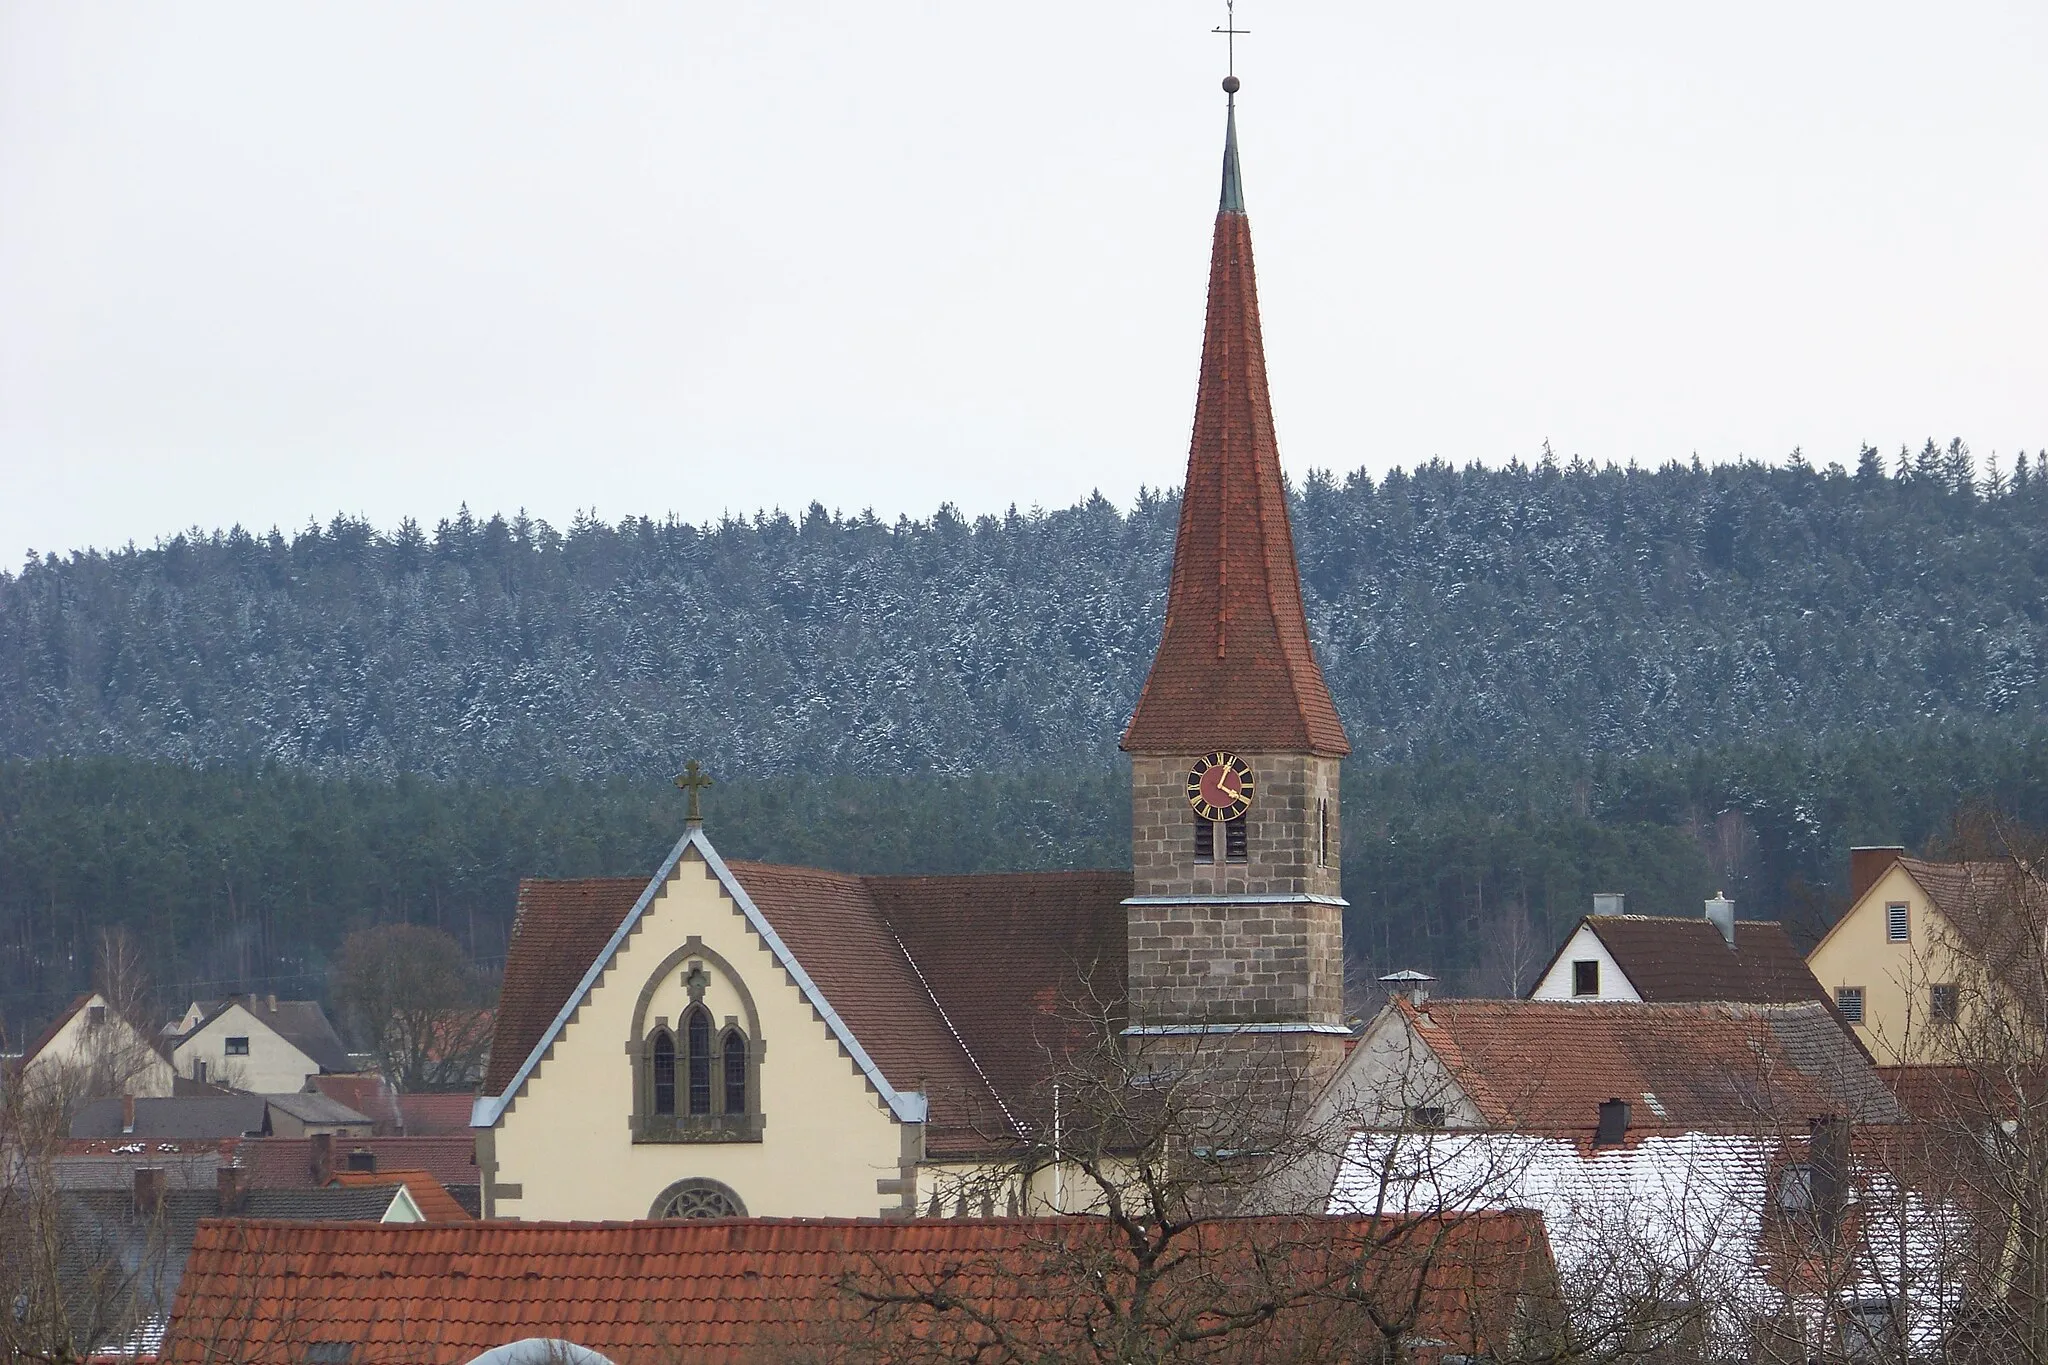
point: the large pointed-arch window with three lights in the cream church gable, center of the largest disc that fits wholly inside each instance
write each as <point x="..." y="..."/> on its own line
<point x="697" y="1077"/>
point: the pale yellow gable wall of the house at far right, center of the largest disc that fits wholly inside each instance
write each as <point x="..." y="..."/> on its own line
<point x="1895" y="977"/>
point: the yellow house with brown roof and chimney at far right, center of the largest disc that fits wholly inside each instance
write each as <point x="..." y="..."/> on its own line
<point x="1914" y="946"/>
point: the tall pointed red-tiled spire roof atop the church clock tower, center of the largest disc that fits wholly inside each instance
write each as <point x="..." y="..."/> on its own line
<point x="1236" y="668"/>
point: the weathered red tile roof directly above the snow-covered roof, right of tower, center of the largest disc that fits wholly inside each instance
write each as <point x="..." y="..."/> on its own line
<point x="1549" y="1065"/>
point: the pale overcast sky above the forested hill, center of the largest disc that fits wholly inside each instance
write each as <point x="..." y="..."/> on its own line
<point x="265" y="263"/>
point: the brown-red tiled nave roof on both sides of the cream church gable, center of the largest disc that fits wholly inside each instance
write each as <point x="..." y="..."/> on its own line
<point x="957" y="987"/>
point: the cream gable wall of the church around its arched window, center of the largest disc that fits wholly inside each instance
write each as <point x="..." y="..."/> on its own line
<point x="566" y="1143"/>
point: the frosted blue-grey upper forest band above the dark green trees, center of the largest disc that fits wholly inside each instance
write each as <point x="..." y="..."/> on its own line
<point x="1461" y="613"/>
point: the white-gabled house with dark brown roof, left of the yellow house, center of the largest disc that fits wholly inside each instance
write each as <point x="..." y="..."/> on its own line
<point x="1615" y="957"/>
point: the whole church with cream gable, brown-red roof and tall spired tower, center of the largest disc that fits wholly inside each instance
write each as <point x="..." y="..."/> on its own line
<point x="736" y="1039"/>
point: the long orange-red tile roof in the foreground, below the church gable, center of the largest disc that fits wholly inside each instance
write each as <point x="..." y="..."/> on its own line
<point x="734" y="1292"/>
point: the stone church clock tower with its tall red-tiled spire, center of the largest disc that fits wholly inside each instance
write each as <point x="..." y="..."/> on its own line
<point x="1236" y="922"/>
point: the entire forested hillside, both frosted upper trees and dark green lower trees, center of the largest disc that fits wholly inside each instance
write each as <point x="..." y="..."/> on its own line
<point x="1560" y="678"/>
